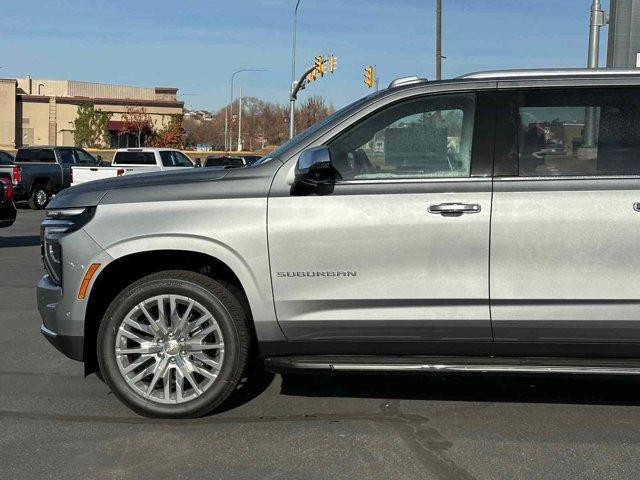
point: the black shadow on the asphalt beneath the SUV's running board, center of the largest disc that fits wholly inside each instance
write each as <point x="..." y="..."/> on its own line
<point x="468" y="388"/>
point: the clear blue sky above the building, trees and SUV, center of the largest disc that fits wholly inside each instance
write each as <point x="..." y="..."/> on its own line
<point x="195" y="45"/>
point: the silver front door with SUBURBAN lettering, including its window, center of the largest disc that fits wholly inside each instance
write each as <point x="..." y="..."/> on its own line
<point x="396" y="250"/>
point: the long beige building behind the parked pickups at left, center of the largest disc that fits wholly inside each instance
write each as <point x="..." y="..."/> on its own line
<point x="42" y="111"/>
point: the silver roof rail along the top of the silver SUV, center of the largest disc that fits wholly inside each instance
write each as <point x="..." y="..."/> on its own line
<point x="550" y="72"/>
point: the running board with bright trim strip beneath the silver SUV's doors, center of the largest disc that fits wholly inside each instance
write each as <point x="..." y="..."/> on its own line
<point x="427" y="364"/>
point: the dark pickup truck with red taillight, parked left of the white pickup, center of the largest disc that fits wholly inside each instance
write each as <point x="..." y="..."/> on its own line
<point x="40" y="172"/>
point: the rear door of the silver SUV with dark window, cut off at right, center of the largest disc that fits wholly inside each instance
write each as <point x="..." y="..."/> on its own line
<point x="565" y="244"/>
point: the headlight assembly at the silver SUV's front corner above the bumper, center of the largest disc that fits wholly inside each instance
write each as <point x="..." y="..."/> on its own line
<point x="56" y="225"/>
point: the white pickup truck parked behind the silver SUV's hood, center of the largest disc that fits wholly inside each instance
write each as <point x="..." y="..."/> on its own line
<point x="127" y="161"/>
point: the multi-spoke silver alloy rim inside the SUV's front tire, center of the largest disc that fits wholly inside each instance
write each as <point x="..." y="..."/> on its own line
<point x="169" y="349"/>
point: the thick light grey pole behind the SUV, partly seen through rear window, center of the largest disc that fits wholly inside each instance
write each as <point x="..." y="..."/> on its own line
<point x="597" y="20"/>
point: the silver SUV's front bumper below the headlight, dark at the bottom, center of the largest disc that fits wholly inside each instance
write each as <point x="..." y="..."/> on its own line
<point x="49" y="298"/>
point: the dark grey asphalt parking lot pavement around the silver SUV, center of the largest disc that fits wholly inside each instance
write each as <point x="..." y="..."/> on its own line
<point x="56" y="424"/>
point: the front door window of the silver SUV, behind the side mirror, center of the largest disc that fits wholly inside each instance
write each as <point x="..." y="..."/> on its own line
<point x="427" y="137"/>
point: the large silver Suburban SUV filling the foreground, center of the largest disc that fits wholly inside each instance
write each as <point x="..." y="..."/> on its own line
<point x="483" y="223"/>
